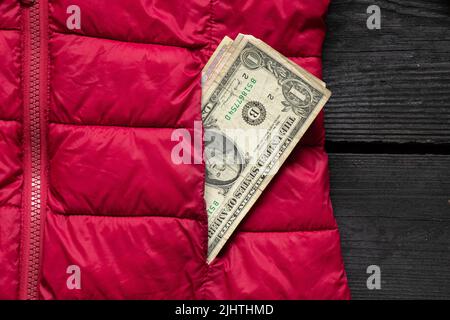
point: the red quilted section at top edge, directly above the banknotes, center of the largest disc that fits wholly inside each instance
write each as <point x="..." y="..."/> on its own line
<point x="295" y="28"/>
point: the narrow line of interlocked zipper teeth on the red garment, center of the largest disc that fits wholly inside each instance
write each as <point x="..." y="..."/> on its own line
<point x="35" y="149"/>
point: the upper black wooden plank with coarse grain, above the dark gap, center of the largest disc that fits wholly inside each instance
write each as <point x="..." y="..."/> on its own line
<point x="393" y="84"/>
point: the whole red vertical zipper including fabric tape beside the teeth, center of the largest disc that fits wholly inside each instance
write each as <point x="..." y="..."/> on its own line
<point x="34" y="78"/>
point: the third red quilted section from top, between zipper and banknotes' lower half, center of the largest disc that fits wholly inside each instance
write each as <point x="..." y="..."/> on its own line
<point x="121" y="171"/>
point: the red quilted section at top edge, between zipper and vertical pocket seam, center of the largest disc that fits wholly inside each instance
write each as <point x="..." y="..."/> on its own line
<point x="168" y="22"/>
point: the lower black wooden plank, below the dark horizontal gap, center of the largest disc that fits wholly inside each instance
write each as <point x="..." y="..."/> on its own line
<point x="394" y="211"/>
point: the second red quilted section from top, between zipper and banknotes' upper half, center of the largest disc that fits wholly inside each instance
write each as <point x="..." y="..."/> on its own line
<point x="100" y="81"/>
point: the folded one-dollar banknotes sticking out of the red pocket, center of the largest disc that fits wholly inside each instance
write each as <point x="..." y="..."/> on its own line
<point x="256" y="106"/>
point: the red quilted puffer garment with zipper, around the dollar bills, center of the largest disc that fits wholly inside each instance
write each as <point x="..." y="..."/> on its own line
<point x="91" y="205"/>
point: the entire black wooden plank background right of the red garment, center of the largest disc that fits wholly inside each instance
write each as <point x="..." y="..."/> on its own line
<point x="388" y="135"/>
